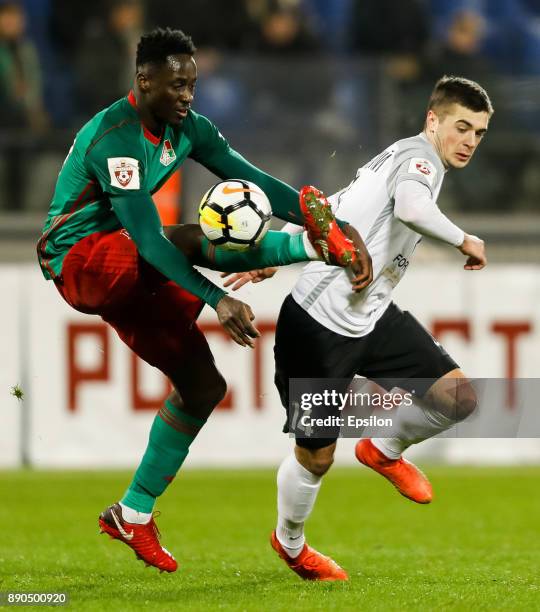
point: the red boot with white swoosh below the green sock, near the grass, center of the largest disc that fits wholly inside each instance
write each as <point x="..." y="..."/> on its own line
<point x="143" y="539"/>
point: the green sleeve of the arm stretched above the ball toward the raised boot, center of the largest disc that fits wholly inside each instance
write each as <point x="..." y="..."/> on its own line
<point x="212" y="151"/>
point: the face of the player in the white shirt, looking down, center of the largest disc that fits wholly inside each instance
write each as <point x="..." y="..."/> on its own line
<point x="457" y="133"/>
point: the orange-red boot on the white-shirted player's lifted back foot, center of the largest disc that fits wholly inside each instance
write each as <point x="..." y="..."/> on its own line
<point x="403" y="474"/>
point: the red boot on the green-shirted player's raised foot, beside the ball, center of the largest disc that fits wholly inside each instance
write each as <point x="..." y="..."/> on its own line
<point x="323" y="231"/>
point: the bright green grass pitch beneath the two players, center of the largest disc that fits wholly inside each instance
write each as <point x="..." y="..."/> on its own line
<point x="476" y="547"/>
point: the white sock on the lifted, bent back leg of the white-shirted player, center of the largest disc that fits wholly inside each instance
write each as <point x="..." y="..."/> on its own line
<point x="412" y="424"/>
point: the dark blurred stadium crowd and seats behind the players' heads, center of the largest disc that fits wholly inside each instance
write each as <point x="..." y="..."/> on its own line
<point x="324" y="76"/>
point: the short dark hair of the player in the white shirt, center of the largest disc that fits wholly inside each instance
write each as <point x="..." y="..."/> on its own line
<point x="458" y="90"/>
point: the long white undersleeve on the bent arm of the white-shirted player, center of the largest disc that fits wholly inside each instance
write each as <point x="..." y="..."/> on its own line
<point x="416" y="209"/>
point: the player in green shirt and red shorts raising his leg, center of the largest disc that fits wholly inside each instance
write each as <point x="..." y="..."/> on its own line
<point x="105" y="249"/>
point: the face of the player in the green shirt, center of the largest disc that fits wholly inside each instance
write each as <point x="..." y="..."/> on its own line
<point x="171" y="89"/>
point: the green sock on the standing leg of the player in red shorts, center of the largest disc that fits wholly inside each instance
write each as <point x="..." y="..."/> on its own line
<point x="170" y="437"/>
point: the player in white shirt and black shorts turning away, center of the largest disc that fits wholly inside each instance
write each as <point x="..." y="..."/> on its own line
<point x="327" y="331"/>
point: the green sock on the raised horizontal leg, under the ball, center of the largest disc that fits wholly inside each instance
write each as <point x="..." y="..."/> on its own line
<point x="275" y="249"/>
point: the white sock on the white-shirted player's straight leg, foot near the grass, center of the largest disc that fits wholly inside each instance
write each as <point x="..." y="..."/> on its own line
<point x="297" y="492"/>
